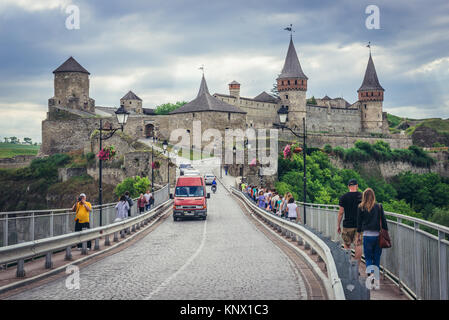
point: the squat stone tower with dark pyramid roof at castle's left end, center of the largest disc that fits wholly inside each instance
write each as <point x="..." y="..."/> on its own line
<point x="71" y="85"/>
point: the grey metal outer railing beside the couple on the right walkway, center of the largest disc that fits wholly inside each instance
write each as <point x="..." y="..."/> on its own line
<point x="418" y="259"/>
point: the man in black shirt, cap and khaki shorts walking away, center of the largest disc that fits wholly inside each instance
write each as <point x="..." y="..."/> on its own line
<point x="348" y="205"/>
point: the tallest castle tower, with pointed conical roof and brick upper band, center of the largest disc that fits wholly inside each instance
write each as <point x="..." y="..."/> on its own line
<point x="292" y="87"/>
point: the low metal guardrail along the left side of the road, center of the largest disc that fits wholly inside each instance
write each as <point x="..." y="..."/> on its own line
<point x="22" y="251"/>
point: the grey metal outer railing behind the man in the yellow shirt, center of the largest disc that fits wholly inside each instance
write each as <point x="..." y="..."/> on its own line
<point x="23" y="226"/>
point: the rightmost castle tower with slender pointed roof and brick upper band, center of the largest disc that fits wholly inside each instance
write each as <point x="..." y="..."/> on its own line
<point x="371" y="97"/>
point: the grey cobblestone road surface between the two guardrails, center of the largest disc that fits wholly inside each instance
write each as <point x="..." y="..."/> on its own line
<point x="224" y="257"/>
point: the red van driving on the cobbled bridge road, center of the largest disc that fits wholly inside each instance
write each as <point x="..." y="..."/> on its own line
<point x="190" y="198"/>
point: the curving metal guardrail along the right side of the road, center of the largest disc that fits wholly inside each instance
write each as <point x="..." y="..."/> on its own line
<point x="333" y="286"/>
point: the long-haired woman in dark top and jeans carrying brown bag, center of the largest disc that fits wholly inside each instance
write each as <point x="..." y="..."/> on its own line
<point x="370" y="215"/>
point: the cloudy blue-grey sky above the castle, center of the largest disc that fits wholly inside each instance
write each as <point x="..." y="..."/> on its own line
<point x="155" y="47"/>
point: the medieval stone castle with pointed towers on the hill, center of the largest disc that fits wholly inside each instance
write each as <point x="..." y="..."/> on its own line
<point x="72" y="114"/>
